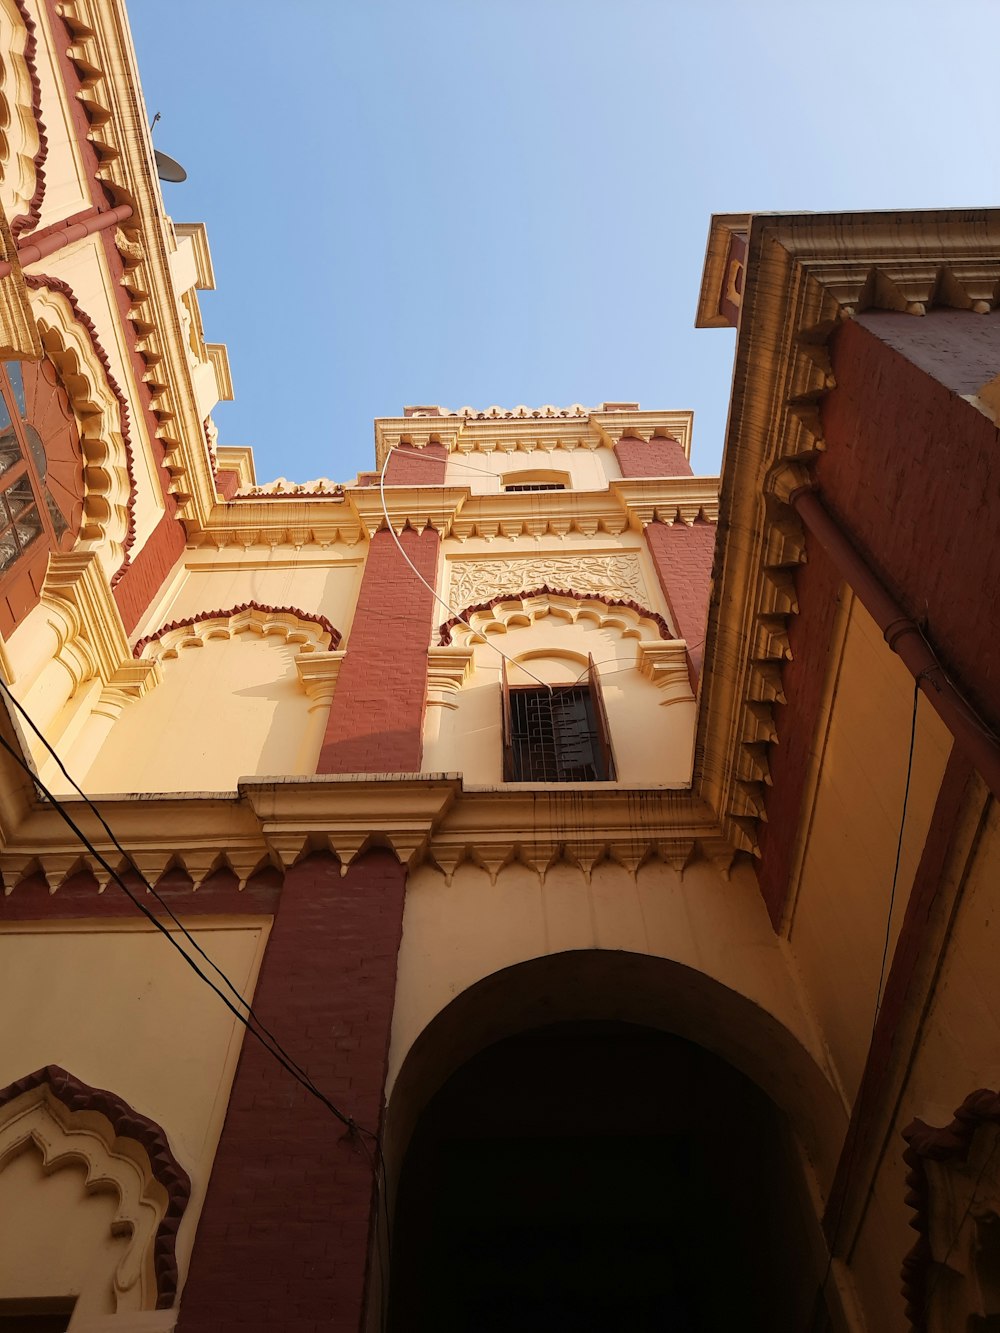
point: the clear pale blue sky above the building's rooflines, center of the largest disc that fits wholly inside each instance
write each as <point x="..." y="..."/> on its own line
<point x="478" y="202"/>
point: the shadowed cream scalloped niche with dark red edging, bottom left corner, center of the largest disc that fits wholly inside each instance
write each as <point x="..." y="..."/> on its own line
<point x="91" y="1198"/>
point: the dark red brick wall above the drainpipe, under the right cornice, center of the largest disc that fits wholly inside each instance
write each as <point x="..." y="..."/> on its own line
<point x="911" y="471"/>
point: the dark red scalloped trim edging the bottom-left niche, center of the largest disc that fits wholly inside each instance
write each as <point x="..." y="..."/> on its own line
<point x="127" y="1123"/>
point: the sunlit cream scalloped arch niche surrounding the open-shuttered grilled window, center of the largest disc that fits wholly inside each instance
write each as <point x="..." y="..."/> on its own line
<point x="550" y="637"/>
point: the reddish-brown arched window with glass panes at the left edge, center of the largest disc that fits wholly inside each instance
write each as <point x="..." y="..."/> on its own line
<point x="42" y="482"/>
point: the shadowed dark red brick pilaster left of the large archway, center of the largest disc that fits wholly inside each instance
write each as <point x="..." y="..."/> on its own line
<point x="286" y="1234"/>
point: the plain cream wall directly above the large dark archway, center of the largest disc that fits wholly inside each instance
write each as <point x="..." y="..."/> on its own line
<point x="461" y="932"/>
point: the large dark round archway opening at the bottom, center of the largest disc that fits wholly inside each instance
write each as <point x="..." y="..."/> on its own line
<point x="567" y="1158"/>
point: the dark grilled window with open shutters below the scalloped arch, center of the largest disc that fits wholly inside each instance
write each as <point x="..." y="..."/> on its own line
<point x="558" y="735"/>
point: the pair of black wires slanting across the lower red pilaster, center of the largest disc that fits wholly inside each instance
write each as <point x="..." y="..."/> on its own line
<point x="250" y="1022"/>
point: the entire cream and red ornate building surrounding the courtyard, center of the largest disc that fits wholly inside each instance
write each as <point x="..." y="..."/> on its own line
<point x="609" y="854"/>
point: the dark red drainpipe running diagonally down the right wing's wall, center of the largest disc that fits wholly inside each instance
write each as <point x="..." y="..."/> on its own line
<point x="903" y="637"/>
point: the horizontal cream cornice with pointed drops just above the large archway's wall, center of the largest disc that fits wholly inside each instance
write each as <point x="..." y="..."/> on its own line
<point x="421" y="816"/>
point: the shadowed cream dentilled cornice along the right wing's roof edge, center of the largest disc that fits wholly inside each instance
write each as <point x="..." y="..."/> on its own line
<point x="803" y="277"/>
